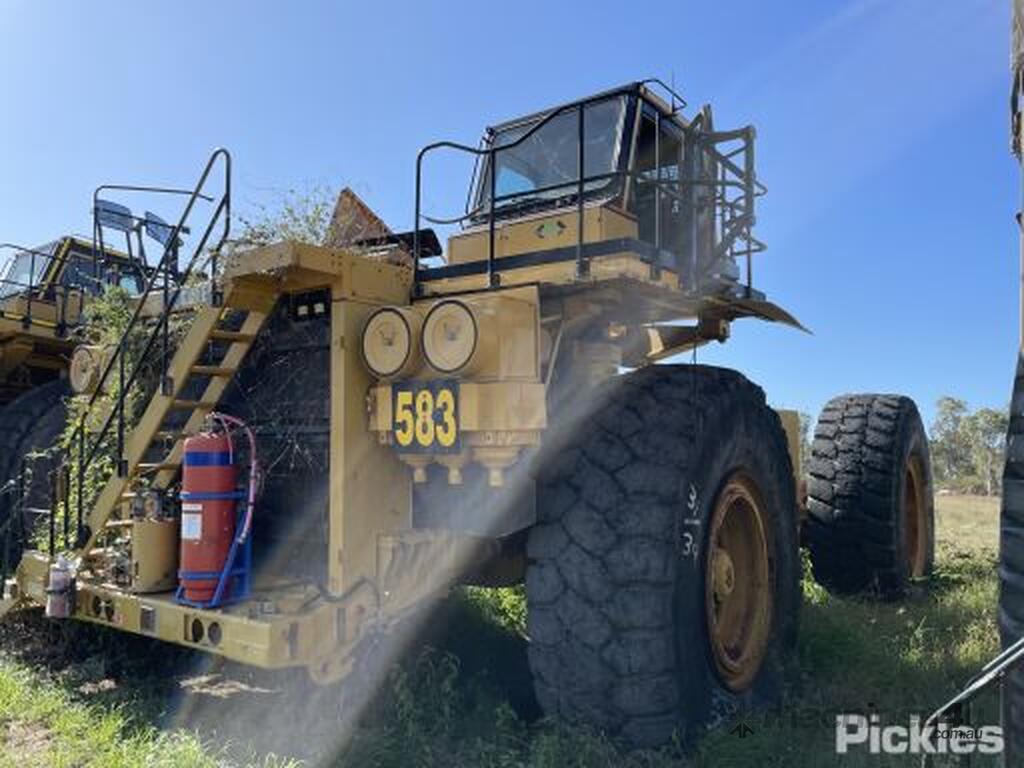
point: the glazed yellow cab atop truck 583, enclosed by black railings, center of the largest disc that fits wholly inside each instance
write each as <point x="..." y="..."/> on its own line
<point x="623" y="174"/>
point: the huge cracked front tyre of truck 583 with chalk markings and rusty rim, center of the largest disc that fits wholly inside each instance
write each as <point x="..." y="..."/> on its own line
<point x="663" y="576"/>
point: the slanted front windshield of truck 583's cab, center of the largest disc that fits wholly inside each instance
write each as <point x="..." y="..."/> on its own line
<point x="543" y="166"/>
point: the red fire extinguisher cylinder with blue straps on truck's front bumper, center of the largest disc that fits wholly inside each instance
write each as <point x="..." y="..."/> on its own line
<point x="209" y="508"/>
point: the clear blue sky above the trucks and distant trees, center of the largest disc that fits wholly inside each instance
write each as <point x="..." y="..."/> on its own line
<point x="882" y="138"/>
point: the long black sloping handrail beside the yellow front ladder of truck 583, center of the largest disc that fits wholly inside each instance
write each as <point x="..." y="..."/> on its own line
<point x="125" y="379"/>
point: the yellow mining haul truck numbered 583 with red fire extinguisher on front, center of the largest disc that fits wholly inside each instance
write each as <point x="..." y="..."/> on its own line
<point x="338" y="434"/>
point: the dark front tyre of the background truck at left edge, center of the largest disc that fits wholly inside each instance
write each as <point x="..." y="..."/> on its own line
<point x="31" y="423"/>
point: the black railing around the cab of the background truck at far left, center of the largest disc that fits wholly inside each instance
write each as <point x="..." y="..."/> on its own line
<point x="37" y="290"/>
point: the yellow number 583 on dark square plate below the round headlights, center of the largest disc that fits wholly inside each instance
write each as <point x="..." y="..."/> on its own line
<point x="426" y="415"/>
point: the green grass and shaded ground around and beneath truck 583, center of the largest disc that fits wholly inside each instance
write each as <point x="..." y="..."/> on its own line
<point x="100" y="699"/>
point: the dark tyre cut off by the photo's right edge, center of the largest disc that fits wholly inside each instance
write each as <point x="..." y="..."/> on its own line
<point x="1012" y="572"/>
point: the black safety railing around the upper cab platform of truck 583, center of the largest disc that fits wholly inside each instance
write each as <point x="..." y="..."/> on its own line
<point x="729" y="179"/>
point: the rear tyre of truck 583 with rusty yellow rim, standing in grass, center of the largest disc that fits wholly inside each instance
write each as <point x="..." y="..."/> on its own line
<point x="871" y="524"/>
